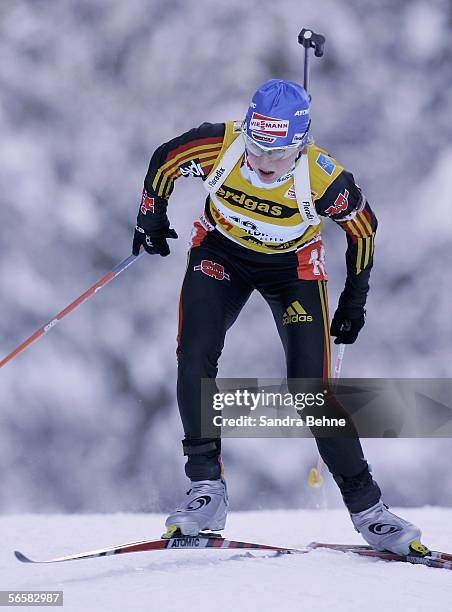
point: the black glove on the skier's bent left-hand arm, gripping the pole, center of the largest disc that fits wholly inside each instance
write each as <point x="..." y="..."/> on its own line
<point x="153" y="227"/>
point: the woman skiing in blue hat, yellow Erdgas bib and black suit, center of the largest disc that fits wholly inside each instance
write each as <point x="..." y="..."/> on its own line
<point x="269" y="186"/>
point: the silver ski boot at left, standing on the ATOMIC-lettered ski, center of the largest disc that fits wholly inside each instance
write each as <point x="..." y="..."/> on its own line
<point x="205" y="508"/>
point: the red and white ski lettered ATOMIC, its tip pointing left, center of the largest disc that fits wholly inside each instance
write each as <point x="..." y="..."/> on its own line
<point x="175" y="542"/>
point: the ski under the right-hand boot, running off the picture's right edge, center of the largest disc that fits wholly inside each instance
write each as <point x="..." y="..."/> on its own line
<point x="433" y="558"/>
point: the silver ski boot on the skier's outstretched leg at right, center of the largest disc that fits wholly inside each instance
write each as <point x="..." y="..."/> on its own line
<point x="384" y="530"/>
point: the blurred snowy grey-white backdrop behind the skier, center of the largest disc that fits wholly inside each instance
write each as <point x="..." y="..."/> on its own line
<point x="88" y="89"/>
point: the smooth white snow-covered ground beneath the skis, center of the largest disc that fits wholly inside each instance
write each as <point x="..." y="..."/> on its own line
<point x="224" y="580"/>
